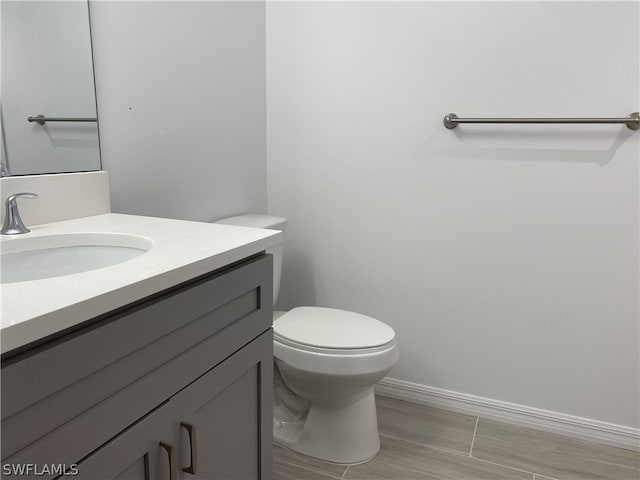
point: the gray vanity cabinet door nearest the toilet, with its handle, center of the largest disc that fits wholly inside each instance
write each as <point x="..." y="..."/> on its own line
<point x="224" y="419"/>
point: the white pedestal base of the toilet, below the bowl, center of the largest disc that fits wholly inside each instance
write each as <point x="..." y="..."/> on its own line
<point x="339" y="430"/>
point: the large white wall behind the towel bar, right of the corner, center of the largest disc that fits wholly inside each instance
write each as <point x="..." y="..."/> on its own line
<point x="505" y="257"/>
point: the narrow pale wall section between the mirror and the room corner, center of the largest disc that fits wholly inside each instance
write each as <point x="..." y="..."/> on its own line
<point x="181" y="99"/>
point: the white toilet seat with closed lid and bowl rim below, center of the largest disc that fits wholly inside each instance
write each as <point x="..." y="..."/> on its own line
<point x="316" y="339"/>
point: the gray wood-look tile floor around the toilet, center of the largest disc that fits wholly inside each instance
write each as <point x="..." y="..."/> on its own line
<point x="419" y="442"/>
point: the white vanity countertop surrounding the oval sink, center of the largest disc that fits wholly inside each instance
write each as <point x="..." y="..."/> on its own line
<point x="182" y="250"/>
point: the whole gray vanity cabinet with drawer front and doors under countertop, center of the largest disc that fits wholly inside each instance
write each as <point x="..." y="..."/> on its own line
<point x="179" y="380"/>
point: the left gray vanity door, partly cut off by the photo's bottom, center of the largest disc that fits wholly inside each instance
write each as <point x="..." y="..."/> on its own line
<point x="135" y="454"/>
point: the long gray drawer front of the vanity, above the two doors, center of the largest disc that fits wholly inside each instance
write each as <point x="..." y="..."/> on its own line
<point x="123" y="365"/>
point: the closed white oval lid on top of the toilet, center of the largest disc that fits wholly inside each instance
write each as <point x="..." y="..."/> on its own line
<point x="331" y="328"/>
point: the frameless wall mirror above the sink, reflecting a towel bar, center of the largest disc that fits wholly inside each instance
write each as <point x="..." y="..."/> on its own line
<point x="47" y="74"/>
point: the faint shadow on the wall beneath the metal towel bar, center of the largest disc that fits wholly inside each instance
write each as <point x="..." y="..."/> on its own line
<point x="478" y="138"/>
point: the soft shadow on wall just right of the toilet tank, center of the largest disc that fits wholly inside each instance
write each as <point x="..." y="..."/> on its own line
<point x="298" y="282"/>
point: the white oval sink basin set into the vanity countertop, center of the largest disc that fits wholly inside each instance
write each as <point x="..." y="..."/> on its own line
<point x="38" y="257"/>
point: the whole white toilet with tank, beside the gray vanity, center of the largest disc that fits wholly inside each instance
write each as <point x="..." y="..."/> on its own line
<point x="326" y="362"/>
